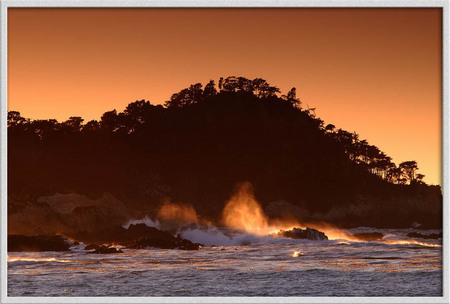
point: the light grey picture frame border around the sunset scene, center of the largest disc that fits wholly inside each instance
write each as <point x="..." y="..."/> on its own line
<point x="5" y="4"/>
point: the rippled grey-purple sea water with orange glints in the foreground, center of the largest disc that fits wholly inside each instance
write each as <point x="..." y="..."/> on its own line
<point x="259" y="266"/>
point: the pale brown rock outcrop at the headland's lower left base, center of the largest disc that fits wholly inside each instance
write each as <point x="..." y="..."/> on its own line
<point x="64" y="213"/>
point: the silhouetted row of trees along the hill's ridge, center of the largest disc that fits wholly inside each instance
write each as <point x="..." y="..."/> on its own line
<point x="140" y="112"/>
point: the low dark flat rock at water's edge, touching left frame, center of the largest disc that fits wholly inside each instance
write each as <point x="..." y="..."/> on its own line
<point x="38" y="243"/>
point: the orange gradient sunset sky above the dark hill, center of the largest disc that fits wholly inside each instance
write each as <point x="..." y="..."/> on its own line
<point x="374" y="71"/>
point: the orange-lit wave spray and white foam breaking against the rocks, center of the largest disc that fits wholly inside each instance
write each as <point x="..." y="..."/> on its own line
<point x="244" y="222"/>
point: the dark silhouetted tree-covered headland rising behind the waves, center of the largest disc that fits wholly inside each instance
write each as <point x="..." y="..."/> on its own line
<point x="67" y="177"/>
